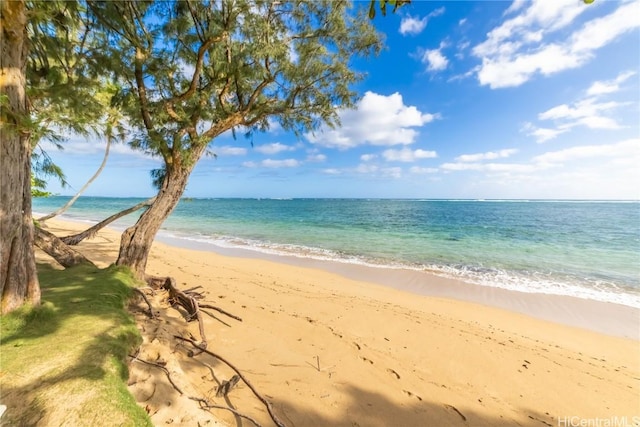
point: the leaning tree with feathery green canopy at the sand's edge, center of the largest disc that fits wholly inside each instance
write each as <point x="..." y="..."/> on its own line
<point x="195" y="69"/>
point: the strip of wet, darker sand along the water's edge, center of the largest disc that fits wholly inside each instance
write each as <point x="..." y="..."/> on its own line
<point x="603" y="317"/>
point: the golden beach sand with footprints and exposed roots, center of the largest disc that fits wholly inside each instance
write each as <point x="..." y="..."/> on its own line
<point x="329" y="350"/>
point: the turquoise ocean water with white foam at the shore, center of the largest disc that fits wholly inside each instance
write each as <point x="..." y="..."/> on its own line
<point x="585" y="249"/>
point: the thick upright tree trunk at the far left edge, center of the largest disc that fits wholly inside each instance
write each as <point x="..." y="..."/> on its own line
<point x="18" y="278"/>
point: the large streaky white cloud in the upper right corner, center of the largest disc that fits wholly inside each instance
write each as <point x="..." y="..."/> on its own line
<point x="516" y="50"/>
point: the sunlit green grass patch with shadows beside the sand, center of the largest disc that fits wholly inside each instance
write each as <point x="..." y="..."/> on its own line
<point x="64" y="362"/>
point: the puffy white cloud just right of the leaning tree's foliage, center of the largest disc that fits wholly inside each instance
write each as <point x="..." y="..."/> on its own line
<point x="377" y="120"/>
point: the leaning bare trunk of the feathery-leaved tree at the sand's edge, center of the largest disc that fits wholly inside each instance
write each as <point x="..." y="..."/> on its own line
<point x="136" y="241"/>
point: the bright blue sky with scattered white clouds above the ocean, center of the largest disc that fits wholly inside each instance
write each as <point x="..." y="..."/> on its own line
<point x="488" y="99"/>
